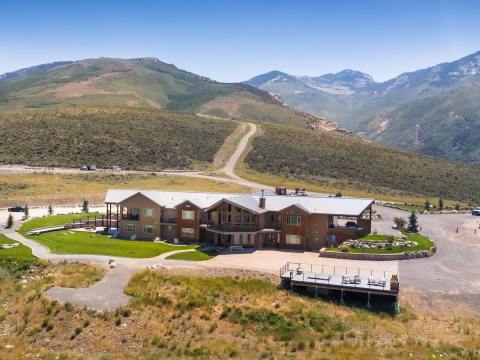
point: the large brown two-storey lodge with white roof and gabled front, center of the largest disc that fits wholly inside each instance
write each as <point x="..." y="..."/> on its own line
<point x="259" y="220"/>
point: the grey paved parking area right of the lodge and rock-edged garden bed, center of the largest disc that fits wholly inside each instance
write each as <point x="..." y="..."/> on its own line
<point x="455" y="268"/>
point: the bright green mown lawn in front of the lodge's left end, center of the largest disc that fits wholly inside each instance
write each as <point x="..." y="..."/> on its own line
<point x="79" y="242"/>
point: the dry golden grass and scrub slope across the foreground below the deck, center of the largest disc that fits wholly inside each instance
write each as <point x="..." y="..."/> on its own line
<point x="216" y="317"/>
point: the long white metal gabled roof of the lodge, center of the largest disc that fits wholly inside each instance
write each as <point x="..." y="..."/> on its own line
<point x="345" y="206"/>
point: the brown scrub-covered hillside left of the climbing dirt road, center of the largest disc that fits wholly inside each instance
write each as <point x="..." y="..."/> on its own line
<point x="141" y="139"/>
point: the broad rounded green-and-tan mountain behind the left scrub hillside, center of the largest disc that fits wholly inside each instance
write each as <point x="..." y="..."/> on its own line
<point x="142" y="82"/>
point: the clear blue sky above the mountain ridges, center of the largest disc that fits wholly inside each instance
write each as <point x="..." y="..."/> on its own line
<point x="235" y="40"/>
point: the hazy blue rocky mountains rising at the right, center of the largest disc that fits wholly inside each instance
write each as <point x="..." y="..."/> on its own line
<point x="434" y="111"/>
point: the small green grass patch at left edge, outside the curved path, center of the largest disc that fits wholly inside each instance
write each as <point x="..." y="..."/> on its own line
<point x="15" y="260"/>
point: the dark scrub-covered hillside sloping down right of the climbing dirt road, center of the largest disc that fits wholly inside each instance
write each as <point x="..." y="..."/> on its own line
<point x="337" y="161"/>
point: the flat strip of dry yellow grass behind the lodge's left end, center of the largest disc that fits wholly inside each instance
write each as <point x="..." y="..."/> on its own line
<point x="43" y="188"/>
